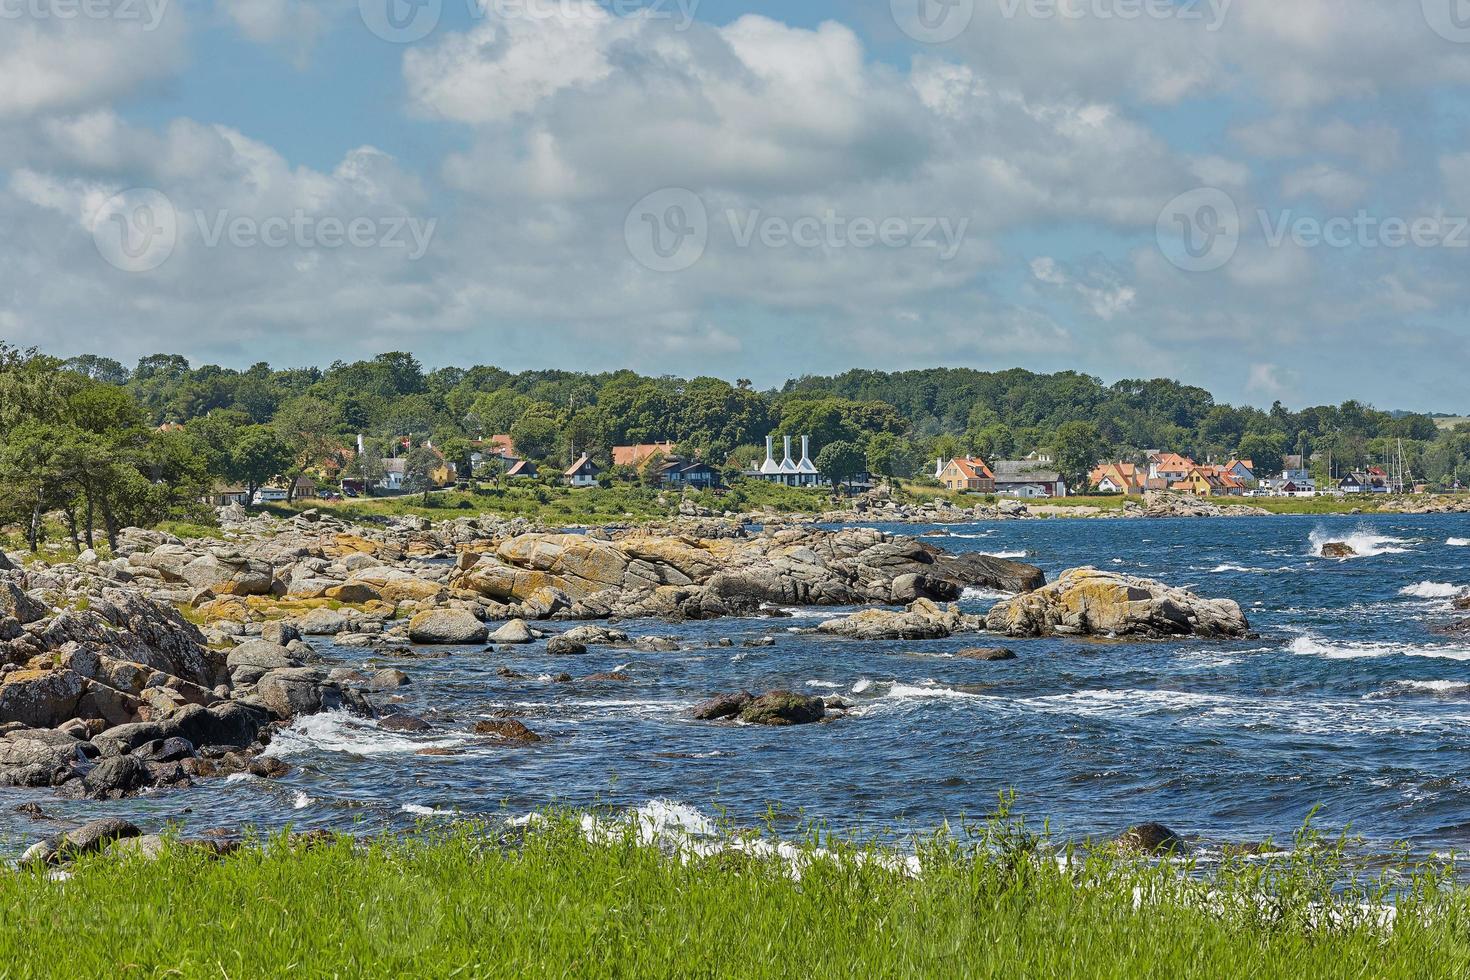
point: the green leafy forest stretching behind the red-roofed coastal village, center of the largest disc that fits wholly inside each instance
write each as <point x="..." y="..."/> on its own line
<point x="111" y="446"/>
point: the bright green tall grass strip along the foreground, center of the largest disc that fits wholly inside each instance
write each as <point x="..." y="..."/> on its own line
<point x="555" y="904"/>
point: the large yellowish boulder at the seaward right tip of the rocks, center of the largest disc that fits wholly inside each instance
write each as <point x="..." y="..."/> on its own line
<point x="1093" y="603"/>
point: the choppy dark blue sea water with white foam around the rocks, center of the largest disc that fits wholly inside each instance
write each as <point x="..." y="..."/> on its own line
<point x="1344" y="703"/>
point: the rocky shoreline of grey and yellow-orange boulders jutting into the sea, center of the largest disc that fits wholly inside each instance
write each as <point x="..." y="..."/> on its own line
<point x="179" y="660"/>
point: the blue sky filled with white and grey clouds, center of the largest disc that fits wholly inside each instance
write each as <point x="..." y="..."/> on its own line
<point x="1269" y="199"/>
